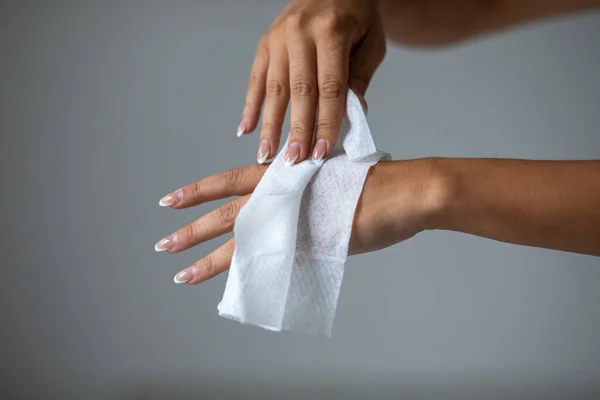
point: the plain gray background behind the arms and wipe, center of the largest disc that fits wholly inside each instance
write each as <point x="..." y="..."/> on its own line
<point x="108" y="105"/>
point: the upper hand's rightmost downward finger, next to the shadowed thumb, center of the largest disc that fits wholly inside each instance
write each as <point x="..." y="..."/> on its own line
<point x="332" y="65"/>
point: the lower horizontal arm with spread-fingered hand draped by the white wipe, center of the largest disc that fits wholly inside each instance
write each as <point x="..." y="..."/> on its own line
<point x="551" y="204"/>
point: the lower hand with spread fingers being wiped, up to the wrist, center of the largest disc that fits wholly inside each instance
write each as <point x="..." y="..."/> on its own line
<point x="396" y="204"/>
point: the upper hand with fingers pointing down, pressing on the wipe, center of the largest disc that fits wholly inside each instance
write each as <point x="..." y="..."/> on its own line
<point x="312" y="53"/>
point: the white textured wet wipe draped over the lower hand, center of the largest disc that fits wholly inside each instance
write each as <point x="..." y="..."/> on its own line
<point x="292" y="236"/>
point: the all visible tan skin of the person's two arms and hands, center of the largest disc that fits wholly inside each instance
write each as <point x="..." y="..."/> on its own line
<point x="317" y="49"/>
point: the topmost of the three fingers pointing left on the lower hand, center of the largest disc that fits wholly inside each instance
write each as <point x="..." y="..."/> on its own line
<point x="235" y="182"/>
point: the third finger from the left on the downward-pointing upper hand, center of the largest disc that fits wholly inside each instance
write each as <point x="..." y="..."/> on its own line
<point x="303" y="92"/>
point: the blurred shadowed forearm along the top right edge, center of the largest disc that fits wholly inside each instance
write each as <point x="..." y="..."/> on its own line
<point x="439" y="22"/>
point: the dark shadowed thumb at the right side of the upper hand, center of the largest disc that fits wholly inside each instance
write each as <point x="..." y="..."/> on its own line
<point x="365" y="60"/>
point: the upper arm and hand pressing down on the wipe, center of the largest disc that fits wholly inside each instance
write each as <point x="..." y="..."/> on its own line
<point x="316" y="49"/>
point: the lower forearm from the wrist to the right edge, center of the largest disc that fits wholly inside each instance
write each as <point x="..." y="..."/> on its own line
<point x="549" y="204"/>
